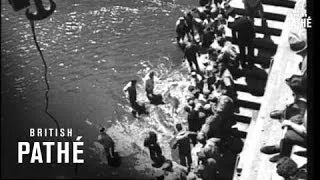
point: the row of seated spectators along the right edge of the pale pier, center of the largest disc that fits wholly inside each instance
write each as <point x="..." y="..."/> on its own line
<point x="294" y="117"/>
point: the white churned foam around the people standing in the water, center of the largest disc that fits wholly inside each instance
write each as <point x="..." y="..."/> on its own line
<point x="129" y="132"/>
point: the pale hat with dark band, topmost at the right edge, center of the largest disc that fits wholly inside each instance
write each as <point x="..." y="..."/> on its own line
<point x="298" y="41"/>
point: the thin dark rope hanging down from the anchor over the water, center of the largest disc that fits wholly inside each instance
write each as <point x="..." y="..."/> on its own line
<point x="48" y="87"/>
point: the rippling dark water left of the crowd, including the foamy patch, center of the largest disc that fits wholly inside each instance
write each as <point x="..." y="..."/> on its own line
<point x="93" y="48"/>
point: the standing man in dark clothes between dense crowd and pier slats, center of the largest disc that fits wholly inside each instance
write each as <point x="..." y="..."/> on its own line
<point x="243" y="30"/>
